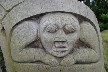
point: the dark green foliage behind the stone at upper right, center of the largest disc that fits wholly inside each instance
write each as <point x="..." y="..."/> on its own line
<point x="100" y="8"/>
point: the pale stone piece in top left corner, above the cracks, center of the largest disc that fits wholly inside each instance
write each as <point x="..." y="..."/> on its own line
<point x="8" y="4"/>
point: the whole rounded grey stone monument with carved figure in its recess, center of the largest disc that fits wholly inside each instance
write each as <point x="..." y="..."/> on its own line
<point x="50" y="36"/>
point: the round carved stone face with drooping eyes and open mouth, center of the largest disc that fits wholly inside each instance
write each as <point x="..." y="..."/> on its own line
<point x="59" y="33"/>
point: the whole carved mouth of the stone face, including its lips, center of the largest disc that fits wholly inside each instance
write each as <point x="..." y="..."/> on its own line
<point x="60" y="46"/>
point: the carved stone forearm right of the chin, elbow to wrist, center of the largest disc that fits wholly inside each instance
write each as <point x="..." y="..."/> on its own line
<point x="85" y="55"/>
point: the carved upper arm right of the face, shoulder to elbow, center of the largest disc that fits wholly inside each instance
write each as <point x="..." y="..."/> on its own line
<point x="89" y="36"/>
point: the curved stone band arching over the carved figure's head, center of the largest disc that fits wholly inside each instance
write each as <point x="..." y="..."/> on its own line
<point x="30" y="8"/>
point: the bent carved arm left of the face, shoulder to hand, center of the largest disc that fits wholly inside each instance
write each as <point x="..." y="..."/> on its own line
<point x="26" y="47"/>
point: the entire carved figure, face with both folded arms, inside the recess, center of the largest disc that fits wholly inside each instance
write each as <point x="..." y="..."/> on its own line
<point x="61" y="35"/>
